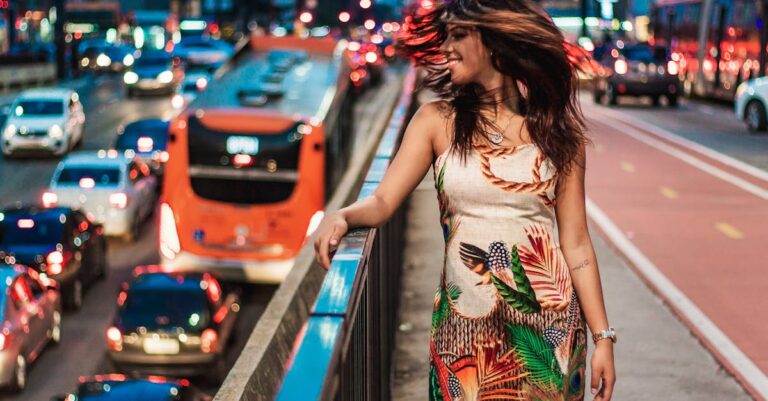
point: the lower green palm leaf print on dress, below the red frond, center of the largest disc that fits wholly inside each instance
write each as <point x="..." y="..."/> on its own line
<point x="537" y="358"/>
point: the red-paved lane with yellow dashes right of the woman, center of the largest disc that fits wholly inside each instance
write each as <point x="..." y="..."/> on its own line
<point x="703" y="233"/>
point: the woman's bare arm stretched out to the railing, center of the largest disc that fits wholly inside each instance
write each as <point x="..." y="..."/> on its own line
<point x="411" y="163"/>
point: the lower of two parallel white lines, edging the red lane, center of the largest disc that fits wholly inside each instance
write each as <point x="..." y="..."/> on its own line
<point x="693" y="161"/>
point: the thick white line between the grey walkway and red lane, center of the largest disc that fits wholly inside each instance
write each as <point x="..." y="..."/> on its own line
<point x="706" y="327"/>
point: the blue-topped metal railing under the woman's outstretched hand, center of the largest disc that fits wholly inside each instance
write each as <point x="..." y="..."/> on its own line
<point x="345" y="349"/>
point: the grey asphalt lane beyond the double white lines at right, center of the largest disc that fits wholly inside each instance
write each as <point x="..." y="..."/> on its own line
<point x="709" y="124"/>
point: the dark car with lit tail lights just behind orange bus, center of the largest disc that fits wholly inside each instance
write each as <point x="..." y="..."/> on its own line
<point x="172" y="323"/>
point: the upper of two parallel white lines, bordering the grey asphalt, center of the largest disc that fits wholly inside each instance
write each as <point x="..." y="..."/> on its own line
<point x="696" y="147"/>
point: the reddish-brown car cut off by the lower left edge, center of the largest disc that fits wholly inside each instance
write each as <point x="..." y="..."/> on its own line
<point x="30" y="319"/>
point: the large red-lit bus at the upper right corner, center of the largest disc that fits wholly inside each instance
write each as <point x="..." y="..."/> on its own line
<point x="716" y="43"/>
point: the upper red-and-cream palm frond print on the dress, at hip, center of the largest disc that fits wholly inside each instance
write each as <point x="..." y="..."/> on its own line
<point x="546" y="268"/>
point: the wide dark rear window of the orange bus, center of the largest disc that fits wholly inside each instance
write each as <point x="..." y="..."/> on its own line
<point x="244" y="167"/>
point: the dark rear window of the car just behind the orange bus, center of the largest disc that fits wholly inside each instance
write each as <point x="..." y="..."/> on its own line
<point x="156" y="308"/>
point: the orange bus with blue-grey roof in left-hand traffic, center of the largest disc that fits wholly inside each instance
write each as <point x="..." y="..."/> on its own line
<point x="251" y="159"/>
